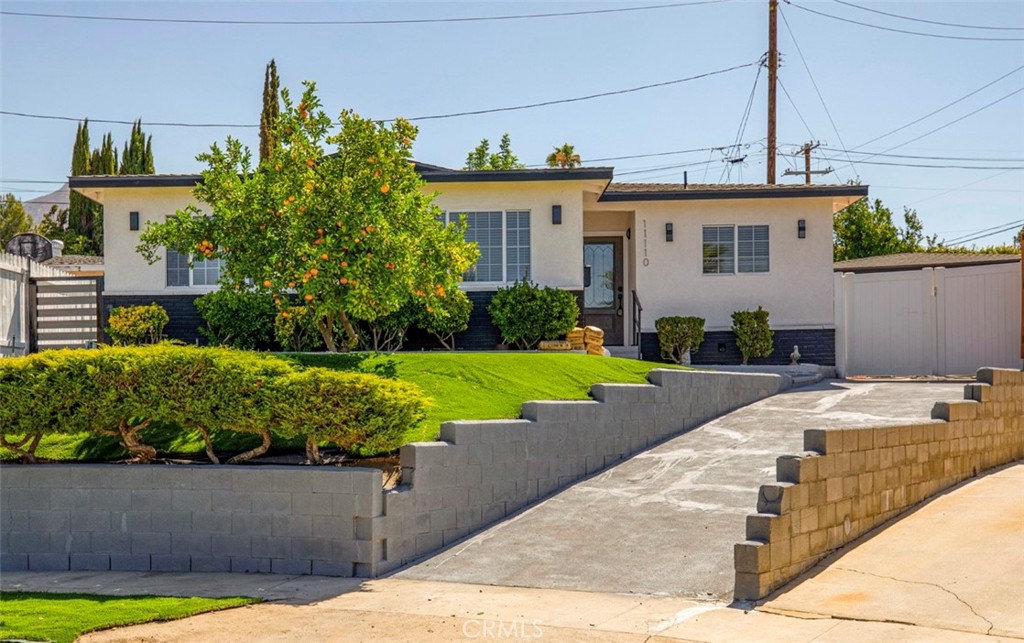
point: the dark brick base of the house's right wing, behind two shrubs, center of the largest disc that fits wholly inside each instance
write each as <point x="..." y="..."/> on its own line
<point x="817" y="347"/>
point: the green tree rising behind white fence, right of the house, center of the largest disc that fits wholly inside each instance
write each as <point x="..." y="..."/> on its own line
<point x="868" y="230"/>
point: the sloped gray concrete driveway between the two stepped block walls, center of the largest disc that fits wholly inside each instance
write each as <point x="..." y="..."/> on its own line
<point x="665" y="522"/>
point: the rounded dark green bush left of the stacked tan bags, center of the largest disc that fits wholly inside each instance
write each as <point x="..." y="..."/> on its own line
<point x="526" y="314"/>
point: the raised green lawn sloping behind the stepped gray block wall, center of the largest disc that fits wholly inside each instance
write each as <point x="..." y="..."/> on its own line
<point x="461" y="387"/>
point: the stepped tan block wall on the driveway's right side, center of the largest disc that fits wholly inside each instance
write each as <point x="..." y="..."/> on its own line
<point x="854" y="481"/>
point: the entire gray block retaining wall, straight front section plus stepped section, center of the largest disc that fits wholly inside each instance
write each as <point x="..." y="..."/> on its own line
<point x="337" y="522"/>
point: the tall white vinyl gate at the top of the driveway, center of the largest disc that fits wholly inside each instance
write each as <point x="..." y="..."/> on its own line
<point x="929" y="322"/>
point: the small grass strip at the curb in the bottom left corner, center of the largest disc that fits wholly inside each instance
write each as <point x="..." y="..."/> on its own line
<point x="63" y="618"/>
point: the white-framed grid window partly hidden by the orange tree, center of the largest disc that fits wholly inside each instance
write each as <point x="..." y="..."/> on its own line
<point x="503" y="238"/>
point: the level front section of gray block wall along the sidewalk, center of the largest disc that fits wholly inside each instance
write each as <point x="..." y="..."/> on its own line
<point x="188" y="519"/>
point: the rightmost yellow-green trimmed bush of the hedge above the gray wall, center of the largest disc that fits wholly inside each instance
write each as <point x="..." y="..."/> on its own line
<point x="360" y="413"/>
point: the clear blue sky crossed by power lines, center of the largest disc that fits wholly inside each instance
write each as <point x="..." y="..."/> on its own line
<point x="872" y="81"/>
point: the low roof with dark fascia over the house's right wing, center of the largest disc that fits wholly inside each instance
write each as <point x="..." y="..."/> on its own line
<point x="685" y="192"/>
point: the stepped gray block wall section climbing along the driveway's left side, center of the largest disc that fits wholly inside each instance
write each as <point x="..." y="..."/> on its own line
<point x="485" y="471"/>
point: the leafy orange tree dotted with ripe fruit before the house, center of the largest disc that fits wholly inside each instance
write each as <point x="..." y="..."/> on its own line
<point x="350" y="231"/>
